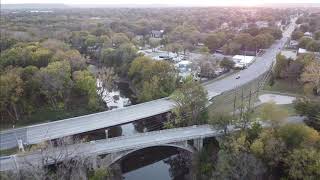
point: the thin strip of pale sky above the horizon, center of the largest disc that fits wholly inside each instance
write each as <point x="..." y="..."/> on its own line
<point x="168" y="2"/>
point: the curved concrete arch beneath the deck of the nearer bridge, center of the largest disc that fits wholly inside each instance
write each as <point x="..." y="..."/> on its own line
<point x="114" y="157"/>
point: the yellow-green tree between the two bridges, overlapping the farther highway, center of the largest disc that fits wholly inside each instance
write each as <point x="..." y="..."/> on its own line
<point x="190" y="103"/>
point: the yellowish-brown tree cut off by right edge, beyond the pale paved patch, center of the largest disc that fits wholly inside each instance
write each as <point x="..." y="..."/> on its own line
<point x="311" y="76"/>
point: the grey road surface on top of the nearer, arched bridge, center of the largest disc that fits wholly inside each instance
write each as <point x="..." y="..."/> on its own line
<point x="122" y="143"/>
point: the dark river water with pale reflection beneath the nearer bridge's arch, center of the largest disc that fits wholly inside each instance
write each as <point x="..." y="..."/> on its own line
<point x="157" y="163"/>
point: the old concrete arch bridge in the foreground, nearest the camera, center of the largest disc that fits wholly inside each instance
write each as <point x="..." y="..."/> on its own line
<point x="186" y="138"/>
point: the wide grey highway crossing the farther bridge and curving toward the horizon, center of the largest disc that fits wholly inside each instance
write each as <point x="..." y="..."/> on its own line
<point x="46" y="131"/>
